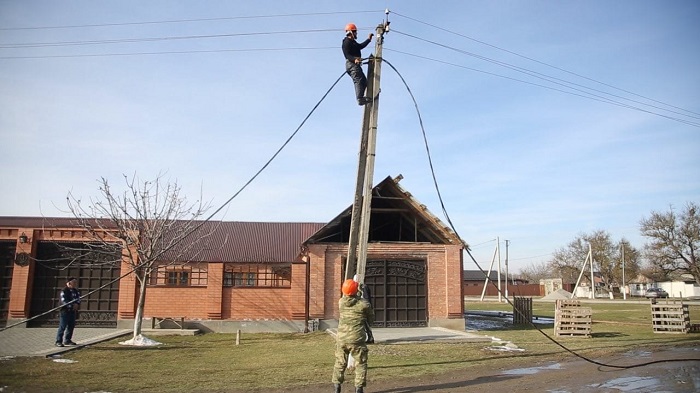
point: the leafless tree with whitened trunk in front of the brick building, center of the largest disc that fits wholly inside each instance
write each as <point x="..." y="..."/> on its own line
<point x="150" y="223"/>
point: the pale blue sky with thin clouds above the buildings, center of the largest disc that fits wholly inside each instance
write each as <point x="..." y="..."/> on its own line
<point x="518" y="155"/>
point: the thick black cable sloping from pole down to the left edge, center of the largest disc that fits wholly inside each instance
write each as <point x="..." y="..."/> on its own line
<point x="196" y="227"/>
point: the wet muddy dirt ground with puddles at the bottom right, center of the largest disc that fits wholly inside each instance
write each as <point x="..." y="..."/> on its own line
<point x="569" y="374"/>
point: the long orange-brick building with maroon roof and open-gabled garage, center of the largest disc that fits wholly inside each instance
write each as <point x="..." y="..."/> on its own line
<point x="258" y="276"/>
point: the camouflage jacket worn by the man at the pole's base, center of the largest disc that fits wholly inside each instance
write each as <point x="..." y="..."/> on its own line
<point x="354" y="311"/>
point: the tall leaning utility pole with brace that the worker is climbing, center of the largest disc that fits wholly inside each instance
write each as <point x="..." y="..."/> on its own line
<point x="362" y="203"/>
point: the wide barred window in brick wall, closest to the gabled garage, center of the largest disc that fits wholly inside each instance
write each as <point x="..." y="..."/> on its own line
<point x="258" y="275"/>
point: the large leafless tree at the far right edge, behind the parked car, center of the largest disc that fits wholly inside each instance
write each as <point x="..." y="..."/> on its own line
<point x="674" y="241"/>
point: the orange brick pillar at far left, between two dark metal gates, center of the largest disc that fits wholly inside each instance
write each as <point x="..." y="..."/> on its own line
<point x="22" y="277"/>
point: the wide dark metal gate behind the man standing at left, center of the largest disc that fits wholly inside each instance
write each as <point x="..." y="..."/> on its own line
<point x="55" y="262"/>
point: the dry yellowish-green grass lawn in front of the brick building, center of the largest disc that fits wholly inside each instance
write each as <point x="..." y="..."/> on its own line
<point x="213" y="362"/>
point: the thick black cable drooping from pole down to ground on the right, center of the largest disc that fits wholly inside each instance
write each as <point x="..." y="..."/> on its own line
<point x="466" y="247"/>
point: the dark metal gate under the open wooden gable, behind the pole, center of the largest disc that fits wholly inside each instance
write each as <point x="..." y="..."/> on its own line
<point x="398" y="289"/>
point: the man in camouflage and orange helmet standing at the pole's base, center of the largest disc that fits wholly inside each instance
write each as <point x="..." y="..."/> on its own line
<point x="355" y="312"/>
